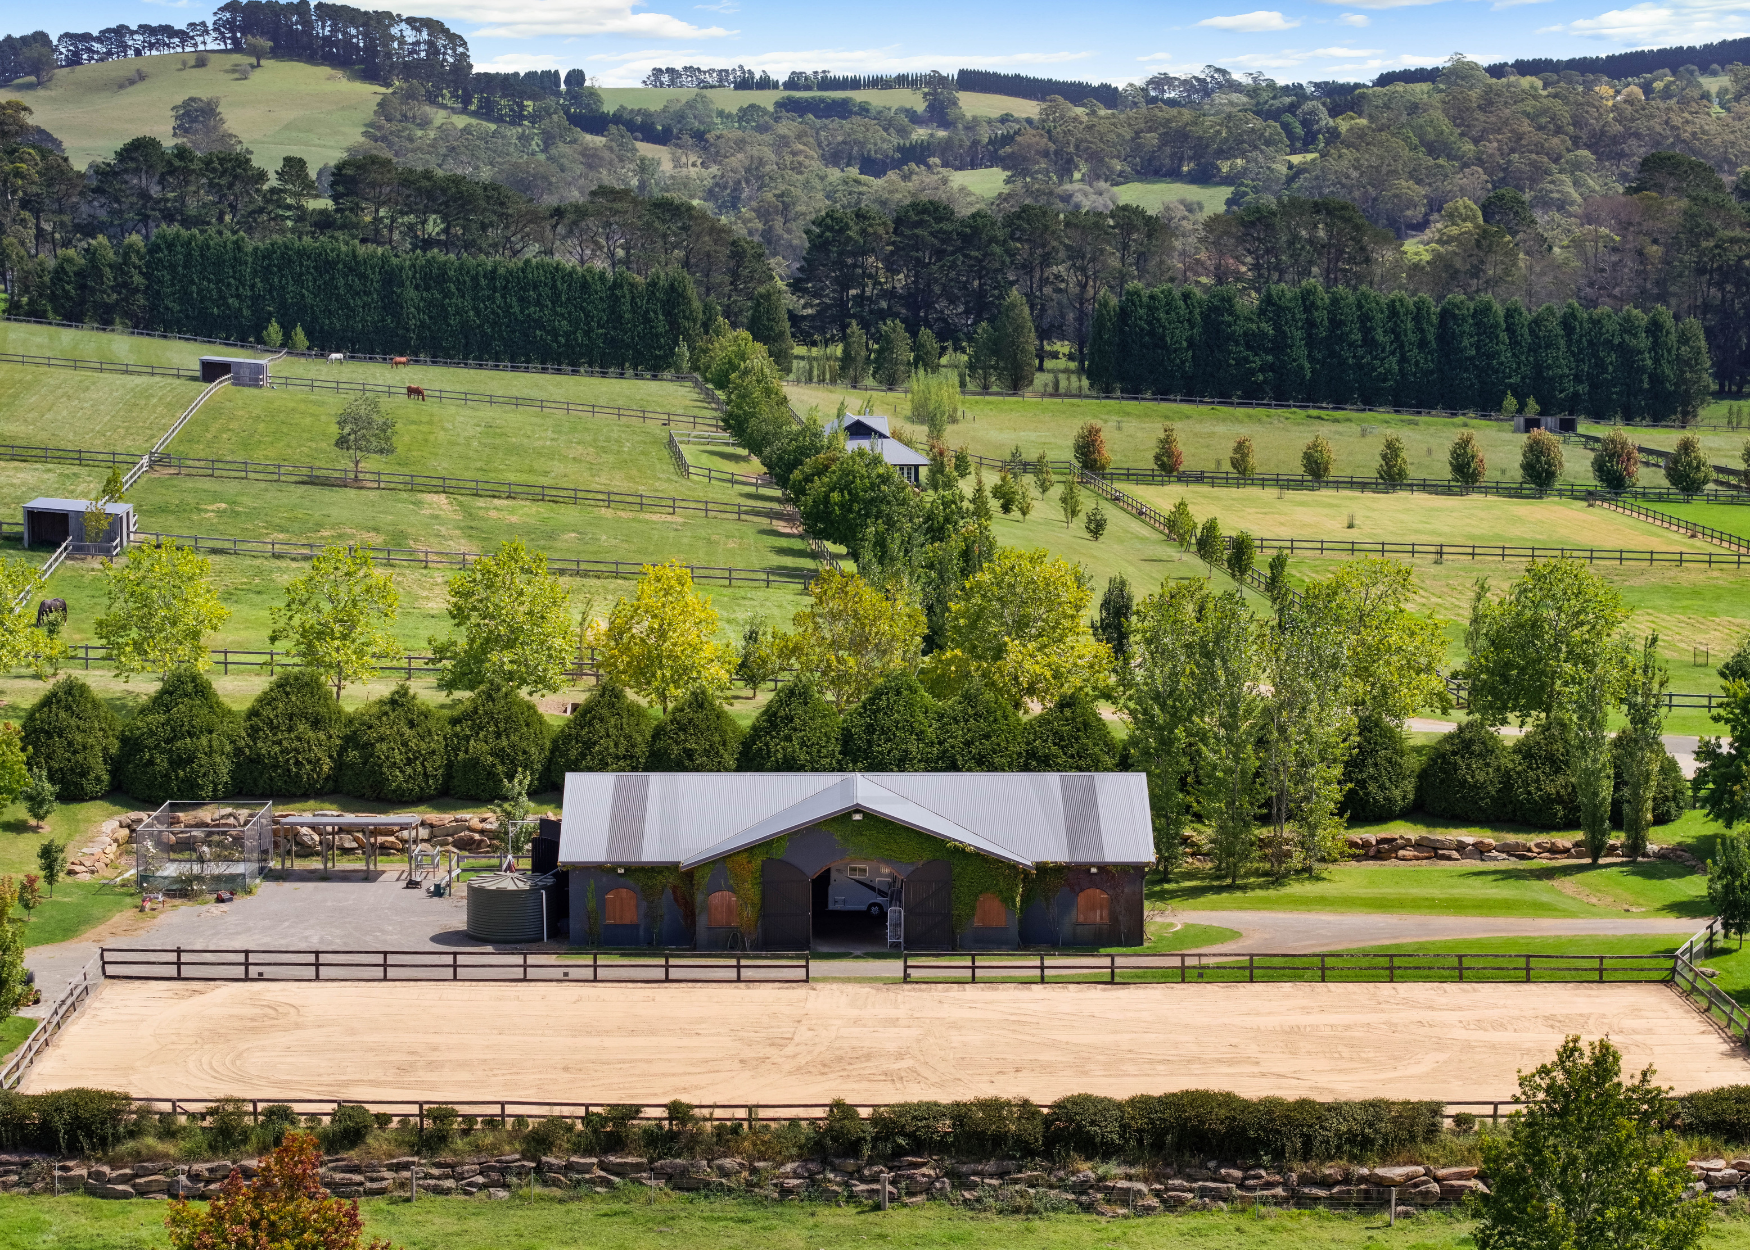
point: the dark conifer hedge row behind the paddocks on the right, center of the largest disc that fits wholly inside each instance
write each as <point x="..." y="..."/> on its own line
<point x="1345" y="346"/>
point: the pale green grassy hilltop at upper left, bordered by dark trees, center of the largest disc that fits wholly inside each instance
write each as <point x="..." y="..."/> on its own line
<point x="284" y="109"/>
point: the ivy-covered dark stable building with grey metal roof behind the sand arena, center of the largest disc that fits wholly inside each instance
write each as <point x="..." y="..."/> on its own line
<point x="857" y="860"/>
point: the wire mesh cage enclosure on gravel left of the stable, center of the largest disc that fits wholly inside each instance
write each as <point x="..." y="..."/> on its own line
<point x="190" y="848"/>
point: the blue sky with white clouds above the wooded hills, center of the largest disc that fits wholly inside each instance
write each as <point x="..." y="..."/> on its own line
<point x="1119" y="41"/>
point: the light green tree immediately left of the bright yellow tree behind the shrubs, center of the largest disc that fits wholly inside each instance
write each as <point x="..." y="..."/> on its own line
<point x="514" y="626"/>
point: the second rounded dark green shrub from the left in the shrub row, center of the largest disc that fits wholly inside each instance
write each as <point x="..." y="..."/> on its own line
<point x="181" y="743"/>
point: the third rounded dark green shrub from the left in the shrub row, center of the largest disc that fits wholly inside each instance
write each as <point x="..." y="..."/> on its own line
<point x="291" y="738"/>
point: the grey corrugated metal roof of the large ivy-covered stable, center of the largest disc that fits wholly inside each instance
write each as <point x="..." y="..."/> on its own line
<point x="636" y="818"/>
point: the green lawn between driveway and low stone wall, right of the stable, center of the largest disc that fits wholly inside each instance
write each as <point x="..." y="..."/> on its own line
<point x="1555" y="890"/>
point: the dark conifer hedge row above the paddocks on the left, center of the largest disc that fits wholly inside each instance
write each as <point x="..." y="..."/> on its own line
<point x="372" y="300"/>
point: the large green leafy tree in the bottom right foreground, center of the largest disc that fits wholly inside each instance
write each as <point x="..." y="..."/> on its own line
<point x="1590" y="1162"/>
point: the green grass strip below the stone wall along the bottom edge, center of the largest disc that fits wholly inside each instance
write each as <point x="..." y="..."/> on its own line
<point x="694" y="1223"/>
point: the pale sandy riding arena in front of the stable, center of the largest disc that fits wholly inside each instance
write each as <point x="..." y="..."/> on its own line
<point x="867" y="1043"/>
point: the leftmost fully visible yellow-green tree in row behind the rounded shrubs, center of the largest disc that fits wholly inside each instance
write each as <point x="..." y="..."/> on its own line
<point x="162" y="607"/>
